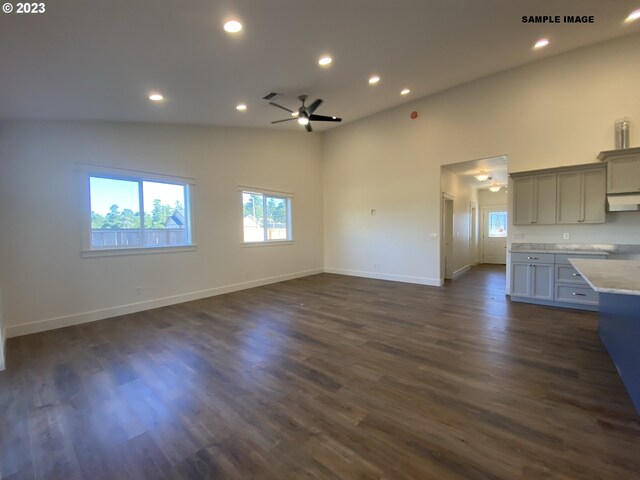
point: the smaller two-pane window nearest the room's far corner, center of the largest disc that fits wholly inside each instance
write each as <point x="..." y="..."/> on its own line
<point x="266" y="217"/>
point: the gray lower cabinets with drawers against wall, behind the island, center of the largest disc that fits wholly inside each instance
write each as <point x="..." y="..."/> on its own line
<point x="549" y="279"/>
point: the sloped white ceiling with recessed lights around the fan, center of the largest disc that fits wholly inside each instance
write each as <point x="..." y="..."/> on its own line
<point x="99" y="59"/>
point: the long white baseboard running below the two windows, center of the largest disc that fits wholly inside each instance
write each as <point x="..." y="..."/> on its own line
<point x="101" y="314"/>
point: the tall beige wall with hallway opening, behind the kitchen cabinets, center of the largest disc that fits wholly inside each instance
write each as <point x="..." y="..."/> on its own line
<point x="559" y="111"/>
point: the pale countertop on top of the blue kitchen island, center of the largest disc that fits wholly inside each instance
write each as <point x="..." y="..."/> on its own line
<point x="610" y="276"/>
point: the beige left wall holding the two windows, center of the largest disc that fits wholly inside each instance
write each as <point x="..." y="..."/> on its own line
<point x="47" y="283"/>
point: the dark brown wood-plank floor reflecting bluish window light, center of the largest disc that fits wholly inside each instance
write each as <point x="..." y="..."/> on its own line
<point x="324" y="377"/>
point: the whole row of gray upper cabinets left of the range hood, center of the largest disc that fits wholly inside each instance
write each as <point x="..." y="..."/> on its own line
<point x="571" y="195"/>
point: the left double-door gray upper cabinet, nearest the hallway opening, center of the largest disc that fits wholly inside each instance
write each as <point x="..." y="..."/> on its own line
<point x="534" y="199"/>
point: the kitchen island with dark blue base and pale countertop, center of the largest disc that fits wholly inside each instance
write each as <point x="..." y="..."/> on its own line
<point x="618" y="283"/>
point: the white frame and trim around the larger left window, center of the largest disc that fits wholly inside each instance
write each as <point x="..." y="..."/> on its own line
<point x="100" y="171"/>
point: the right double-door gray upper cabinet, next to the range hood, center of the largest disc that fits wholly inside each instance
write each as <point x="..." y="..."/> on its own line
<point x="581" y="196"/>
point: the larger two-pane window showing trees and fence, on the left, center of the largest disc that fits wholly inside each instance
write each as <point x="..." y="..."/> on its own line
<point x="137" y="212"/>
